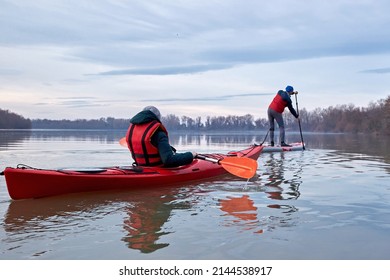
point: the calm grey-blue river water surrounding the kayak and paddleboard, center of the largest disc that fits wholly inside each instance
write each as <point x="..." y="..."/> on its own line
<point x="329" y="202"/>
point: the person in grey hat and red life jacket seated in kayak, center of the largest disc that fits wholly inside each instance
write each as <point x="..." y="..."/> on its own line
<point x="147" y="140"/>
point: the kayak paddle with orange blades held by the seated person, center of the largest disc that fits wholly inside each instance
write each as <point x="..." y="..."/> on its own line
<point x="239" y="166"/>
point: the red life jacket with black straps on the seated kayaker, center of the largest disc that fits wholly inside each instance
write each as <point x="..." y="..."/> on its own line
<point x="139" y="142"/>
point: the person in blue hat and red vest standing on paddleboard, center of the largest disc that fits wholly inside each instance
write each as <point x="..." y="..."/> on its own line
<point x="275" y="111"/>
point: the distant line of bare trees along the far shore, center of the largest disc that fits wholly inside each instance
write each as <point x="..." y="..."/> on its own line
<point x="342" y="118"/>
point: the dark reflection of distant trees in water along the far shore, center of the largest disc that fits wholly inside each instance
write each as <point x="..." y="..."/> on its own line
<point x="349" y="143"/>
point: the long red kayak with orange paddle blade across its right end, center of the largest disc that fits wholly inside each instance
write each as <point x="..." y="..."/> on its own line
<point x="25" y="182"/>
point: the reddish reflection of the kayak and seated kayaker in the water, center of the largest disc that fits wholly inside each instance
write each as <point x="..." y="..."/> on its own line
<point x="145" y="213"/>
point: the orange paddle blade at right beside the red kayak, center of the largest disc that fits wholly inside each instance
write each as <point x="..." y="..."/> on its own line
<point x="241" y="167"/>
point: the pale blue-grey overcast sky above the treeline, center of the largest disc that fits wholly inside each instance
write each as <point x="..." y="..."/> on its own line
<point x="90" y="59"/>
